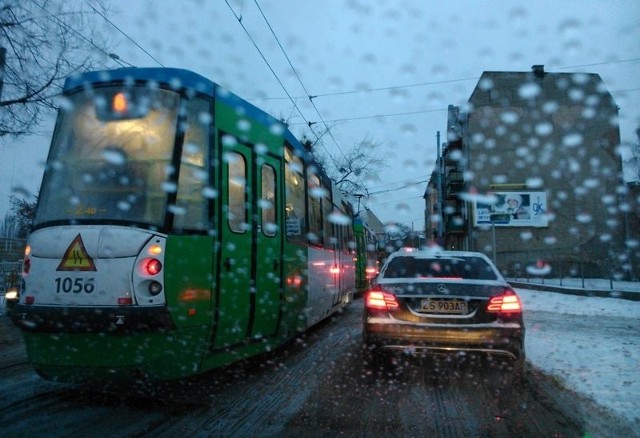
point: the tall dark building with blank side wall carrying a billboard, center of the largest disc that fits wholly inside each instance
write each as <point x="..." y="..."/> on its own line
<point x="530" y="175"/>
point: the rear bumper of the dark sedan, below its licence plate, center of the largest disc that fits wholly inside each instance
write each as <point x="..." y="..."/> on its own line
<point x="507" y="341"/>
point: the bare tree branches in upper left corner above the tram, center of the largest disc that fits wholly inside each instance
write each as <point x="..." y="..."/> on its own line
<point x="42" y="42"/>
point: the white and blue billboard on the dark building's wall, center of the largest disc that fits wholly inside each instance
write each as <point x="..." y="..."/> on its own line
<point x="513" y="209"/>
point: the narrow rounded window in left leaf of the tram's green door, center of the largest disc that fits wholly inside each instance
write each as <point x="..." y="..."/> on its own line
<point x="237" y="184"/>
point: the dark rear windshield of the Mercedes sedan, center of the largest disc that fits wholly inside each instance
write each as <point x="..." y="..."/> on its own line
<point x="474" y="268"/>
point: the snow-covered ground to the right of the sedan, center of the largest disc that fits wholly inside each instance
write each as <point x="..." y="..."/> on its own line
<point x="602" y="365"/>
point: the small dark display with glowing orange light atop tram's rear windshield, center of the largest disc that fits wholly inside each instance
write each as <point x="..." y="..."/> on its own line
<point x="122" y="104"/>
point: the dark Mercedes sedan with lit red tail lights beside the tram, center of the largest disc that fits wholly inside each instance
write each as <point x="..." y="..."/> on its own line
<point x="443" y="302"/>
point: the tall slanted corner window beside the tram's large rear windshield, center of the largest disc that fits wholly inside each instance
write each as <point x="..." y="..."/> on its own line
<point x="191" y="205"/>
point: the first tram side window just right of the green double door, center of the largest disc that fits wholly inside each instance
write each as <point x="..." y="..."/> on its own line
<point x="295" y="197"/>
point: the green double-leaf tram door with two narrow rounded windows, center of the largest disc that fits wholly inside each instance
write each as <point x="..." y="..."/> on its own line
<point x="251" y="251"/>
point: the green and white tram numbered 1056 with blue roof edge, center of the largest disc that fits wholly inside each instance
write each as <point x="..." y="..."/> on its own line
<point x="178" y="229"/>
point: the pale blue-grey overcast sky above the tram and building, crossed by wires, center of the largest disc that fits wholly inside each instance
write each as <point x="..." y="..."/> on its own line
<point x="381" y="70"/>
